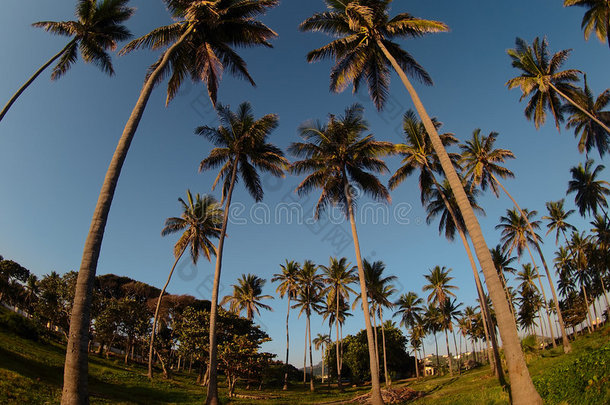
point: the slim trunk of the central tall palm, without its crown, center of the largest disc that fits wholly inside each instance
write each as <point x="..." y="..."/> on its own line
<point x="375" y="387"/>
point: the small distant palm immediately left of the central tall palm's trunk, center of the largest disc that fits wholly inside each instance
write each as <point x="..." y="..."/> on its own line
<point x="338" y="276"/>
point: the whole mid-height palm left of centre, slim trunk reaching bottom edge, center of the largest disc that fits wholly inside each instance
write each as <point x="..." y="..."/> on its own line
<point x="241" y="147"/>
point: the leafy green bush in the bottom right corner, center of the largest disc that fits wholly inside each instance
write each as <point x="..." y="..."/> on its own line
<point x="585" y="380"/>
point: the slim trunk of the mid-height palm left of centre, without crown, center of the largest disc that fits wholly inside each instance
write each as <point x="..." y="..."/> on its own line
<point x="212" y="393"/>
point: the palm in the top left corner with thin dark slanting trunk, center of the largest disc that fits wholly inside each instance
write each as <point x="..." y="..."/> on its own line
<point x="97" y="29"/>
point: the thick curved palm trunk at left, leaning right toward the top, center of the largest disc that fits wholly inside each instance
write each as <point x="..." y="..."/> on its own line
<point x="75" y="389"/>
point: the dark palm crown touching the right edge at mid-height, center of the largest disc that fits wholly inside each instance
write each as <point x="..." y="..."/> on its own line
<point x="590" y="192"/>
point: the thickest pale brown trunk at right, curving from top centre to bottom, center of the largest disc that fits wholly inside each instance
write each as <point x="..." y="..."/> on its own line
<point x="522" y="388"/>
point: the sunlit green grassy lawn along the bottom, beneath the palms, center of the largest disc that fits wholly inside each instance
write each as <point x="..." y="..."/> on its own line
<point x="31" y="372"/>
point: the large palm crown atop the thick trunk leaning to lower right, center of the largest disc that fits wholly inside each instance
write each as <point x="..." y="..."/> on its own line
<point x="359" y="24"/>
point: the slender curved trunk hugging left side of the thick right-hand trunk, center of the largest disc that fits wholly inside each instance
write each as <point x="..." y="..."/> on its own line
<point x="498" y="371"/>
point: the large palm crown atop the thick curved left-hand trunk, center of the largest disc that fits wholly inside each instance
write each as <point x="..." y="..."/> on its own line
<point x="207" y="31"/>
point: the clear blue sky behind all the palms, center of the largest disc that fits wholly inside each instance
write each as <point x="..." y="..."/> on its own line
<point x="57" y="141"/>
